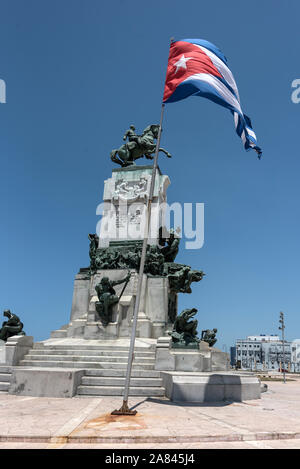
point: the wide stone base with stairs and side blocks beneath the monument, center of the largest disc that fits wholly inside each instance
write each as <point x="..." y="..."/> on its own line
<point x="65" y="367"/>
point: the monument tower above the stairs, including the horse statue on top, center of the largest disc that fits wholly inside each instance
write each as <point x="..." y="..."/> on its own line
<point x="105" y="292"/>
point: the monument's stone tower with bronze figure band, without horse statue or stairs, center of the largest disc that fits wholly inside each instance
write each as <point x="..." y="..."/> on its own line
<point x="117" y="250"/>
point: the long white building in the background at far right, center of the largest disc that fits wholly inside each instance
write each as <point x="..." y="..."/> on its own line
<point x="265" y="352"/>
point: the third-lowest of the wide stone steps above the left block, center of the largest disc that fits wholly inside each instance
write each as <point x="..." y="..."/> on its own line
<point x="84" y="352"/>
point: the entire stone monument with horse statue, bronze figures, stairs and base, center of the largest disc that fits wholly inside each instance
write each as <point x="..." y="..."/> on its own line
<point x="105" y="294"/>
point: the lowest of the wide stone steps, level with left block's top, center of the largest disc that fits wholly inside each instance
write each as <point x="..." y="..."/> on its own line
<point x="85" y="364"/>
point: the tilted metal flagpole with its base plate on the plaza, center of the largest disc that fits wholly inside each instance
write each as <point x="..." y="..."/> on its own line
<point x="124" y="410"/>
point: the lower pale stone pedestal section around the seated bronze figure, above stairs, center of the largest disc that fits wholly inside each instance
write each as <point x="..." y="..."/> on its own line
<point x="153" y="320"/>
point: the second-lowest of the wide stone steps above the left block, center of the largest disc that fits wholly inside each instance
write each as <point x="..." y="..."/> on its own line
<point x="85" y="358"/>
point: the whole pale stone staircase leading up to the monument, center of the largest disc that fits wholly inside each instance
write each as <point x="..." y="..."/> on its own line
<point x="104" y="365"/>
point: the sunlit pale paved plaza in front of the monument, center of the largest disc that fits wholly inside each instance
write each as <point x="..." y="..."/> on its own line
<point x="82" y="422"/>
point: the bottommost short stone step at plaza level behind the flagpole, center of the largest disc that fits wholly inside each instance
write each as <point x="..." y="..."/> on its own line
<point x="119" y="391"/>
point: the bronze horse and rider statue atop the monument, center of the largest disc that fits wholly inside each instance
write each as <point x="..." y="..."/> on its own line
<point x="137" y="147"/>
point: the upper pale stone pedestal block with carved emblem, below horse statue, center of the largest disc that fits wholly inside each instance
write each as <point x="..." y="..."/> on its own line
<point x="125" y="206"/>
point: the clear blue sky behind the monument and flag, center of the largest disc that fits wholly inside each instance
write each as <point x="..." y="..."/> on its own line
<point x="77" y="74"/>
